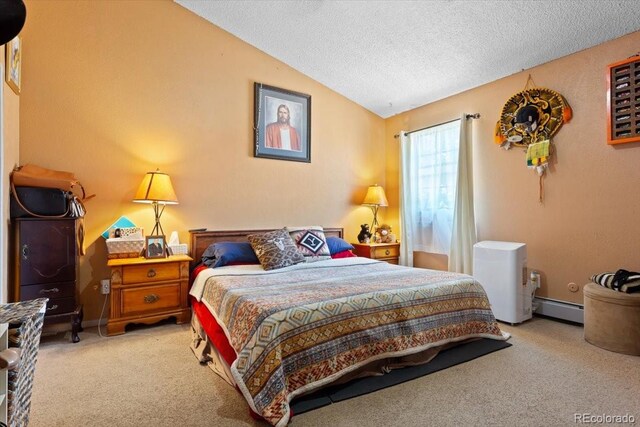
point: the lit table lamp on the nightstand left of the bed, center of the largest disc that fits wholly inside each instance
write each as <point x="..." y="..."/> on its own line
<point x="156" y="189"/>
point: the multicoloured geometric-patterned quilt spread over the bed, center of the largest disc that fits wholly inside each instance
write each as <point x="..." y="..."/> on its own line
<point x="299" y="328"/>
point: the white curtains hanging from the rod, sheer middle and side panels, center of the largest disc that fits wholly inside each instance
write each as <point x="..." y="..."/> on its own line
<point x="430" y="169"/>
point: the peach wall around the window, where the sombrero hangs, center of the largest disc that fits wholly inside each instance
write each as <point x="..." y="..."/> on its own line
<point x="588" y="222"/>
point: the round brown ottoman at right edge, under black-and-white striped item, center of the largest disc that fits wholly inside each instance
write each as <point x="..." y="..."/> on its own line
<point x="612" y="319"/>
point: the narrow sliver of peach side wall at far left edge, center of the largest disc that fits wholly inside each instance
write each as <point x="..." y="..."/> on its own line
<point x="11" y="136"/>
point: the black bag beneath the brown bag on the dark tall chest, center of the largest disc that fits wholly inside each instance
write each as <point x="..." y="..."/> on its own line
<point x="49" y="202"/>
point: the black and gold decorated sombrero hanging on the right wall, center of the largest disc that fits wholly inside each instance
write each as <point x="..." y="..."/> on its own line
<point x="530" y="119"/>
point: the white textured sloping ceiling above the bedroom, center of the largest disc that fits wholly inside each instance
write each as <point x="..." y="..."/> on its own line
<point x="392" y="56"/>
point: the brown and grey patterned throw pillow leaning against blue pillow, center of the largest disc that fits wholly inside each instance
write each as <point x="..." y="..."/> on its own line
<point x="275" y="249"/>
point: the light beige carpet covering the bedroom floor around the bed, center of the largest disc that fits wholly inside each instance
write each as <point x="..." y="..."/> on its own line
<point x="149" y="377"/>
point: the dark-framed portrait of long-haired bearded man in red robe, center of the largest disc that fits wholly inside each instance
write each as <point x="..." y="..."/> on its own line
<point x="282" y="124"/>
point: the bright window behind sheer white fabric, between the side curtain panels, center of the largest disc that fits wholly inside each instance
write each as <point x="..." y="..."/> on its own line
<point x="431" y="192"/>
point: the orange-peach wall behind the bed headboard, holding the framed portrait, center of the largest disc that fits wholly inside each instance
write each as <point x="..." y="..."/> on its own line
<point x="112" y="90"/>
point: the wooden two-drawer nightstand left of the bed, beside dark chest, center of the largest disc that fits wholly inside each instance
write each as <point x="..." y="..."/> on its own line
<point x="148" y="290"/>
